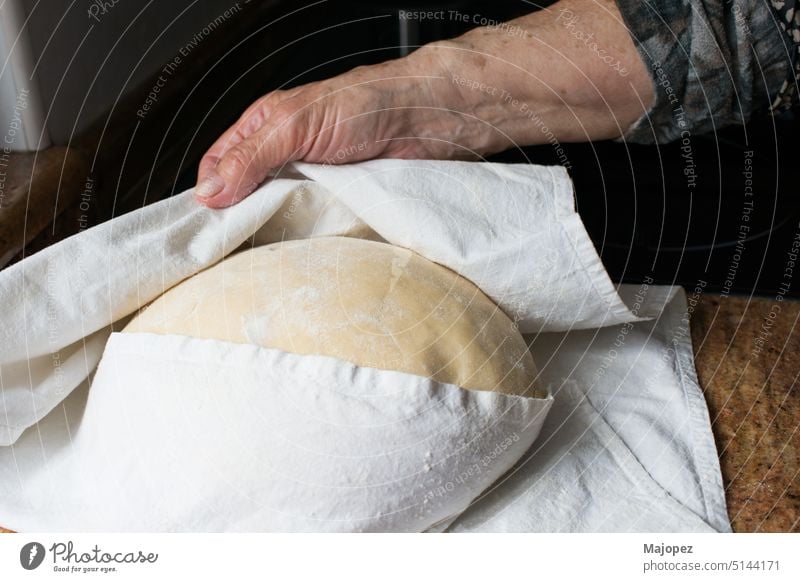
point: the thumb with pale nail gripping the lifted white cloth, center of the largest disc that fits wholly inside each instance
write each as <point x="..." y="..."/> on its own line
<point x="240" y="170"/>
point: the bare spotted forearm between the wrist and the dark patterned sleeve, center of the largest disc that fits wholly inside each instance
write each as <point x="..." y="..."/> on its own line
<point x="571" y="69"/>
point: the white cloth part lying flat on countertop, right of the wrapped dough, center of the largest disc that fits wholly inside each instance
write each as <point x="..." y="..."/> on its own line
<point x="627" y="445"/>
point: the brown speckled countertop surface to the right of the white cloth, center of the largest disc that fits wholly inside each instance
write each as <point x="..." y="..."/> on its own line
<point x="747" y="354"/>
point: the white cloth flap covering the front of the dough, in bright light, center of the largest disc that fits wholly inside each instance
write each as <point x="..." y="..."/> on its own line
<point x="191" y="434"/>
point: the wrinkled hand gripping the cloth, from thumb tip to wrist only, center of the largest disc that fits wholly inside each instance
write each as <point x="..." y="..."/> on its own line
<point x="369" y="112"/>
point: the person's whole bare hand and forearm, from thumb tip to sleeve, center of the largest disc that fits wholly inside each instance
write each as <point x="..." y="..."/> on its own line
<point x="488" y="90"/>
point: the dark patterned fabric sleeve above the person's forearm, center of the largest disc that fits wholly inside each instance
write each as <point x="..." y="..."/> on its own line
<point x="713" y="62"/>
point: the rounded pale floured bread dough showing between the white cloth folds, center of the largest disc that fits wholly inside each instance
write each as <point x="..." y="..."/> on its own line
<point x="369" y="303"/>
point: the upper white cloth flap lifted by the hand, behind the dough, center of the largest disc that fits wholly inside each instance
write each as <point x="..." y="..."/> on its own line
<point x="511" y="229"/>
